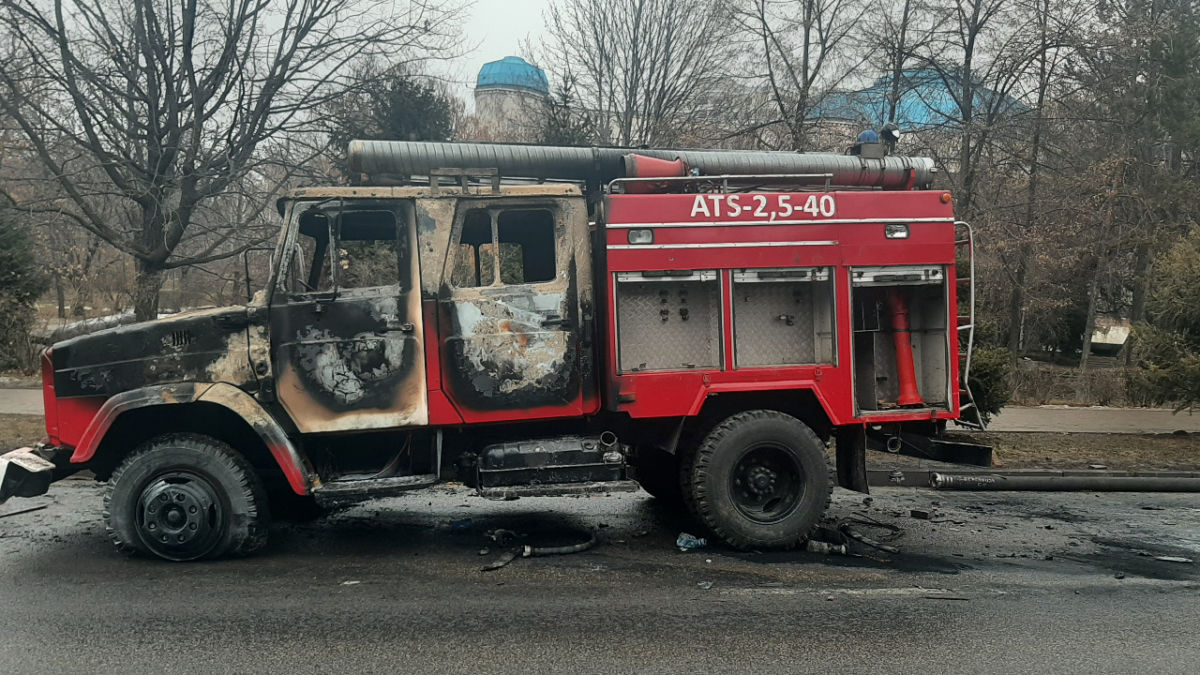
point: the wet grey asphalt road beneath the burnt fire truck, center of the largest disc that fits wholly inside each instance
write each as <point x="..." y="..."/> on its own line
<point x="994" y="583"/>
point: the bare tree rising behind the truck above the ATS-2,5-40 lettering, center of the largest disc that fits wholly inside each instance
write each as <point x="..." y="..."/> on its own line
<point x="803" y="51"/>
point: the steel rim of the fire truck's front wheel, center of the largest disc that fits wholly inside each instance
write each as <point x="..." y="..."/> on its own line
<point x="181" y="516"/>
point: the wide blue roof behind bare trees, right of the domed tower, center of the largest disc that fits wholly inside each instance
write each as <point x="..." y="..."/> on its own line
<point x="926" y="103"/>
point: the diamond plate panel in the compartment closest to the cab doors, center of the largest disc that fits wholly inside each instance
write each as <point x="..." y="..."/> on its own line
<point x="669" y="326"/>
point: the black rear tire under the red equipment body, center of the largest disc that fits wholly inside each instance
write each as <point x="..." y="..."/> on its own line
<point x="760" y="481"/>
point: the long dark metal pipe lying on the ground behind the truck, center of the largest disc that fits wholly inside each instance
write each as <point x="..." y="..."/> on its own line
<point x="1064" y="483"/>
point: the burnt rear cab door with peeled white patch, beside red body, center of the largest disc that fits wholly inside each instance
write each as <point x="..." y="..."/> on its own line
<point x="515" y="344"/>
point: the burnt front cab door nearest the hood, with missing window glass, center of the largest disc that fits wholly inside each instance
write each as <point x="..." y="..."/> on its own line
<point x="346" y="321"/>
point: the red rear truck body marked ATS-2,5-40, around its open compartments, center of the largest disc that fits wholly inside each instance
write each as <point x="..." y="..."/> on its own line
<point x="755" y="232"/>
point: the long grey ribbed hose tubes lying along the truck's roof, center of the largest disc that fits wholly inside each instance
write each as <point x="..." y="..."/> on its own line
<point x="602" y="165"/>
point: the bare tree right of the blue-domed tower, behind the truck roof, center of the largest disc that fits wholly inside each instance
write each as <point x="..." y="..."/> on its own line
<point x="641" y="67"/>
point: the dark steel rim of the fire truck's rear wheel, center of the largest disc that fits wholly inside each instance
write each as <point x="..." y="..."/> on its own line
<point x="767" y="483"/>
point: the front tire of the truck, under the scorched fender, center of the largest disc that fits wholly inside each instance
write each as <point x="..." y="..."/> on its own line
<point x="212" y="501"/>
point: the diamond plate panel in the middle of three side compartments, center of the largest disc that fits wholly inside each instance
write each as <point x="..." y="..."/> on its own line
<point x="783" y="324"/>
